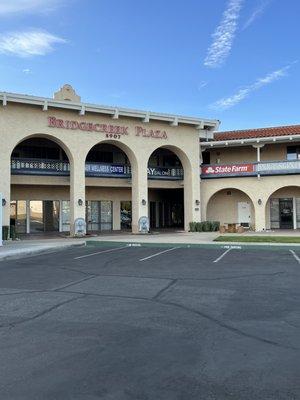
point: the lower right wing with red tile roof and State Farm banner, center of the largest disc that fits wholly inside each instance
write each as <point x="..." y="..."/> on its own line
<point x="252" y="177"/>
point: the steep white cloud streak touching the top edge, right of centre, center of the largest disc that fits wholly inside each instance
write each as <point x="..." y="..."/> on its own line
<point x="224" y="35"/>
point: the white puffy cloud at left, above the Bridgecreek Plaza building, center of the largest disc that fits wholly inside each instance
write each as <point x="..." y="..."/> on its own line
<point x="28" y="43"/>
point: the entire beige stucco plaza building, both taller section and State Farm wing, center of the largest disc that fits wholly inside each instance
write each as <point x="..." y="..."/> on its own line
<point x="62" y="160"/>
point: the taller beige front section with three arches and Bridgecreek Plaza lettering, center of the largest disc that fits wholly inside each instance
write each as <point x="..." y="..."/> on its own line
<point x="62" y="160"/>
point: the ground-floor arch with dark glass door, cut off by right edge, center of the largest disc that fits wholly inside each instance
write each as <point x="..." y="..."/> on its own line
<point x="283" y="208"/>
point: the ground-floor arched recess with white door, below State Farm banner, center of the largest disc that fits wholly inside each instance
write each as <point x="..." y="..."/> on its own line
<point x="231" y="206"/>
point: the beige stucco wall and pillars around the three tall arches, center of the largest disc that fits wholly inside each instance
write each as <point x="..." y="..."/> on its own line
<point x="19" y="121"/>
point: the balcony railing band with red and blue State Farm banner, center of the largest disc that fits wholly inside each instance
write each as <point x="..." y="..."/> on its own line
<point x="251" y="169"/>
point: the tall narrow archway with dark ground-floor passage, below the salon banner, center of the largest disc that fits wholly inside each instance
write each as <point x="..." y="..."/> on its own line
<point x="165" y="190"/>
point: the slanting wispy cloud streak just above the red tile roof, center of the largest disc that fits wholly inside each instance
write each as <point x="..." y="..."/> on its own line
<point x="241" y="94"/>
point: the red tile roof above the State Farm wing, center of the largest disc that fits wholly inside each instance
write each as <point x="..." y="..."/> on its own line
<point x="256" y="133"/>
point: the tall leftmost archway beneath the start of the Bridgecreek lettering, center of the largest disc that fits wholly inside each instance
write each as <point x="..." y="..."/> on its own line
<point x="40" y="186"/>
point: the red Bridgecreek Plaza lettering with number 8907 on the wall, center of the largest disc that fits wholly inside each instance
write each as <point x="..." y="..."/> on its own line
<point x="111" y="131"/>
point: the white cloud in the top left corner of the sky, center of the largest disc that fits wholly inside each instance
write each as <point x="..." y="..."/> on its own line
<point x="8" y="7"/>
